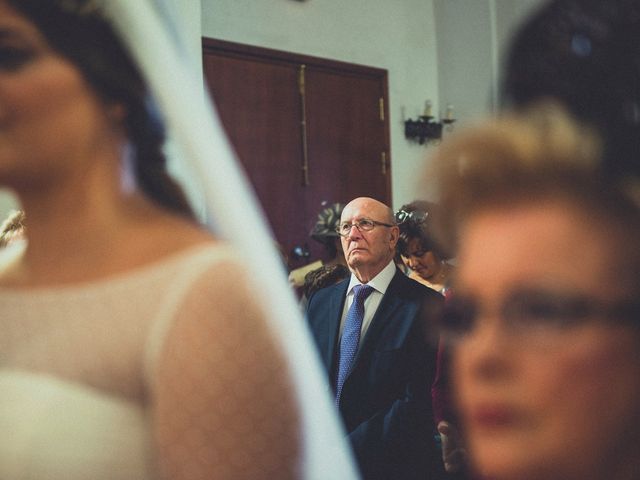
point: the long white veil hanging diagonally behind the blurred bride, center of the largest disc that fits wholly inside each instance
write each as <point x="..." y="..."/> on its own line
<point x="196" y="129"/>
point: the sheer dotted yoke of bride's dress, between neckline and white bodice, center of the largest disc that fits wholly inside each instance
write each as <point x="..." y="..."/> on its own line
<point x="98" y="334"/>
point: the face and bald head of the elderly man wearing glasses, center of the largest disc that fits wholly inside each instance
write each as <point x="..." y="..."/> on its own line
<point x="367" y="253"/>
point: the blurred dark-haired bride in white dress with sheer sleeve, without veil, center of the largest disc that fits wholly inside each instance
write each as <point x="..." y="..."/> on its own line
<point x="133" y="345"/>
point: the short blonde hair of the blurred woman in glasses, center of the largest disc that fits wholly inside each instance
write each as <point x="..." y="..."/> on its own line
<point x="521" y="158"/>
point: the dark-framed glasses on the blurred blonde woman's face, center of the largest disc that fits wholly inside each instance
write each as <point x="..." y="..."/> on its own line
<point x="533" y="313"/>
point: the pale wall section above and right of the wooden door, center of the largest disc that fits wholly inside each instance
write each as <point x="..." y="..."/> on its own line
<point x="397" y="35"/>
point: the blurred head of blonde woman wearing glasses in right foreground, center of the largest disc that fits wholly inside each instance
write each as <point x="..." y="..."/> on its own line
<point x="545" y="333"/>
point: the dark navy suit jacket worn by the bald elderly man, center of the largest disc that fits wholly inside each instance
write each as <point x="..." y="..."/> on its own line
<point x="386" y="400"/>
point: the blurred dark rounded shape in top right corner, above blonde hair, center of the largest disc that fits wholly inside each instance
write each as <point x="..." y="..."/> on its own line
<point x="584" y="54"/>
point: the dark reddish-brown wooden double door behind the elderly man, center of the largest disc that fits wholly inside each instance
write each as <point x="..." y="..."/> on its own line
<point x="308" y="132"/>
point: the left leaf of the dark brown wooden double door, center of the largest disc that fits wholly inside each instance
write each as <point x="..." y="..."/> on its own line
<point x="259" y="107"/>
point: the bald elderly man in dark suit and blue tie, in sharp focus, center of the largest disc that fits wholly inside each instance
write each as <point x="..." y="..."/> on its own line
<point x="370" y="330"/>
